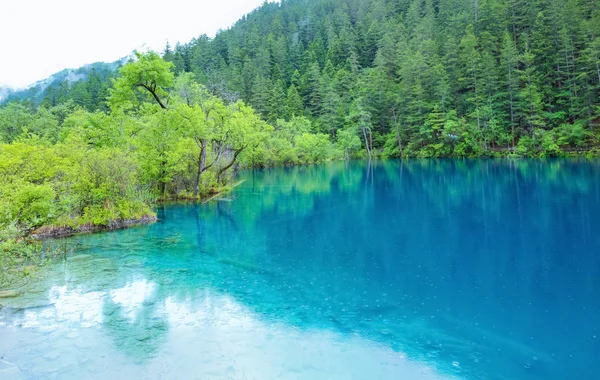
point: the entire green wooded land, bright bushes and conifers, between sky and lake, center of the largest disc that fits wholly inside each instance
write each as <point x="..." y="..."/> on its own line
<point x="297" y="82"/>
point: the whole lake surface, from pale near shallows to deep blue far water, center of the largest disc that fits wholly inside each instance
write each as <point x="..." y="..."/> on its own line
<point x="395" y="270"/>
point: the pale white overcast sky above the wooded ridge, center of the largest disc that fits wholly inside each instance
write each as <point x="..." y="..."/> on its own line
<point x="41" y="37"/>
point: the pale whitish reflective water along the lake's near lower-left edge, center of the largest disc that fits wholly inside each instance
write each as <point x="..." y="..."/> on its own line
<point x="73" y="336"/>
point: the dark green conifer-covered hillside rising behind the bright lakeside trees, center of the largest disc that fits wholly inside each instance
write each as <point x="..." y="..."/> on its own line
<point x="413" y="78"/>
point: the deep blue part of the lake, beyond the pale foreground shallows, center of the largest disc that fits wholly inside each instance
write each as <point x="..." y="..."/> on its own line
<point x="489" y="266"/>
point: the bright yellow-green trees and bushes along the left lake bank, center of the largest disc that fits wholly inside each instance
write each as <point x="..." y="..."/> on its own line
<point x="163" y="137"/>
